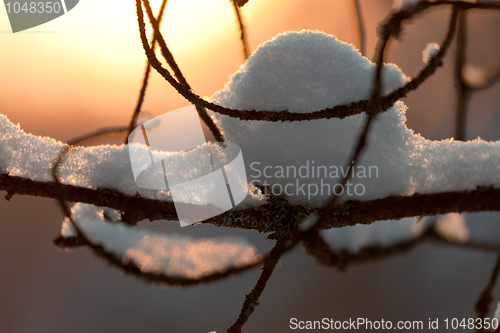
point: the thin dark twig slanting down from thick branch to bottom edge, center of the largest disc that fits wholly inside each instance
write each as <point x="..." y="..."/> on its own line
<point x="252" y="299"/>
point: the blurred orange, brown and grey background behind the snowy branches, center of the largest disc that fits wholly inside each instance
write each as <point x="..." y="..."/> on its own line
<point x="83" y="71"/>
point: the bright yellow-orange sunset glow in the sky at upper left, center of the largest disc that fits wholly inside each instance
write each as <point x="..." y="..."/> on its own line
<point x="84" y="69"/>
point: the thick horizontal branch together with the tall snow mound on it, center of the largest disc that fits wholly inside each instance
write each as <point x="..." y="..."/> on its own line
<point x="302" y="162"/>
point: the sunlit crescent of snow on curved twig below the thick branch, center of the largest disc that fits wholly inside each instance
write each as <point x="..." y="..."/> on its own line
<point x="172" y="254"/>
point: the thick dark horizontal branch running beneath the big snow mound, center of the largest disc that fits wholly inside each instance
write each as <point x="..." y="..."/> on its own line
<point x="263" y="218"/>
